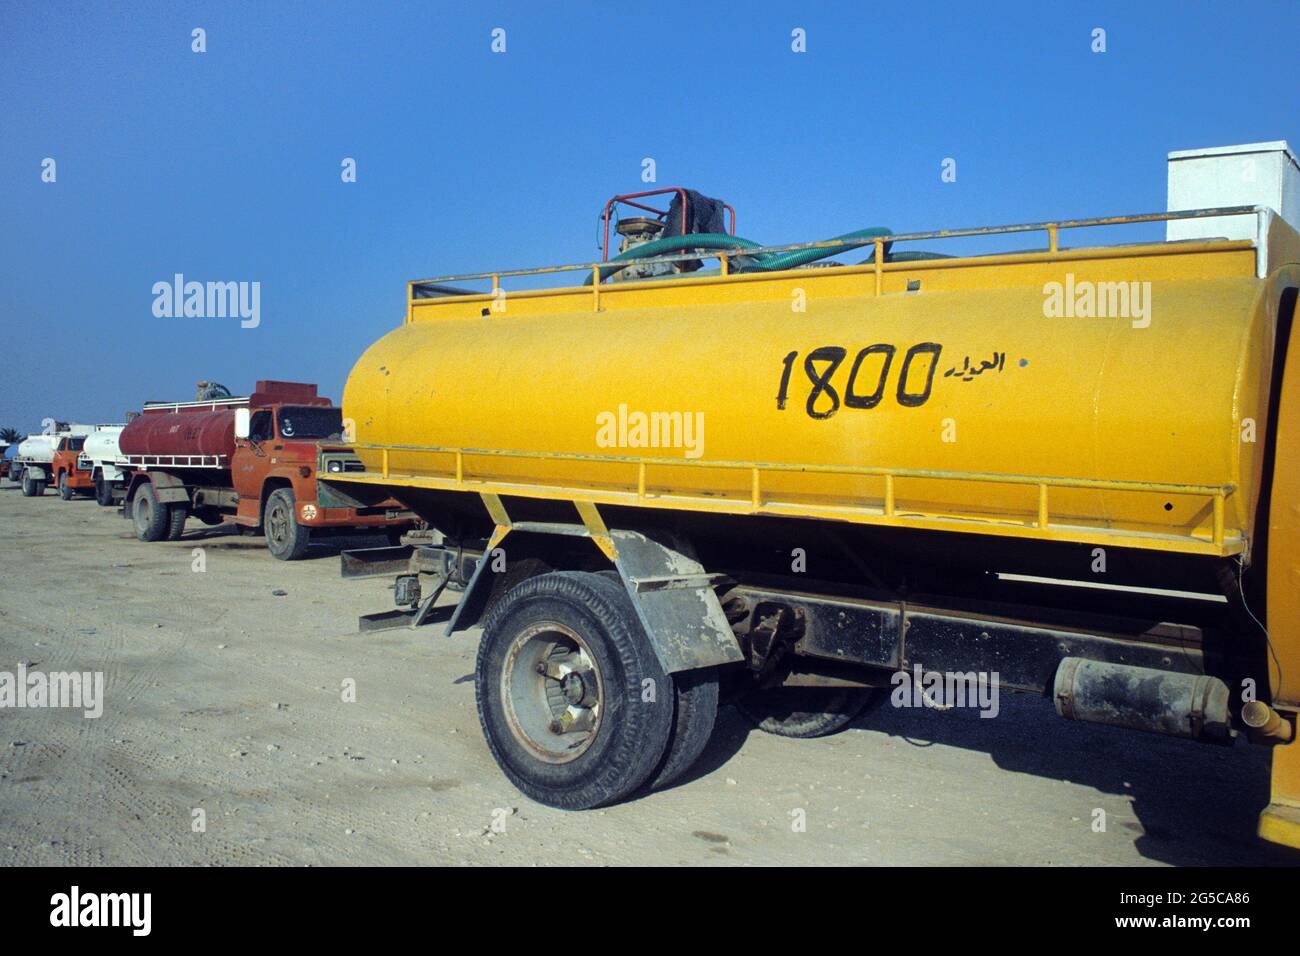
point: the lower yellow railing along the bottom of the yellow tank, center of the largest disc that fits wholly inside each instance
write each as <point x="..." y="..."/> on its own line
<point x="889" y="509"/>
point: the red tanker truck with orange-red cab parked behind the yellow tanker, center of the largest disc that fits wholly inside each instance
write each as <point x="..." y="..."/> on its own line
<point x="249" y="461"/>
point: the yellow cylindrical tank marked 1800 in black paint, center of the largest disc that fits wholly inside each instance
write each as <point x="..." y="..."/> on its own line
<point x="977" y="395"/>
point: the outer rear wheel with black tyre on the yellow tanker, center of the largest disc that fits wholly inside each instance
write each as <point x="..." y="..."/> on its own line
<point x="561" y="684"/>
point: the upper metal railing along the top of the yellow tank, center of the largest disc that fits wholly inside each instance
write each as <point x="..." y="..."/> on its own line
<point x="1052" y="231"/>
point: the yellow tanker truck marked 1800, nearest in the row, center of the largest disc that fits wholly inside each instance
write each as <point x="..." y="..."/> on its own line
<point x="1071" y="470"/>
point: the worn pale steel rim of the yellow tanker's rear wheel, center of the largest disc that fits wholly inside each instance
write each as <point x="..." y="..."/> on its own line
<point x="552" y="690"/>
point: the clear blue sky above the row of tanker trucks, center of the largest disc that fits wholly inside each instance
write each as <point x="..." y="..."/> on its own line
<point x="226" y="166"/>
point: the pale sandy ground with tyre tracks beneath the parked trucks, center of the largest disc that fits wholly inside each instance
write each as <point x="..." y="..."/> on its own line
<point x="226" y="697"/>
